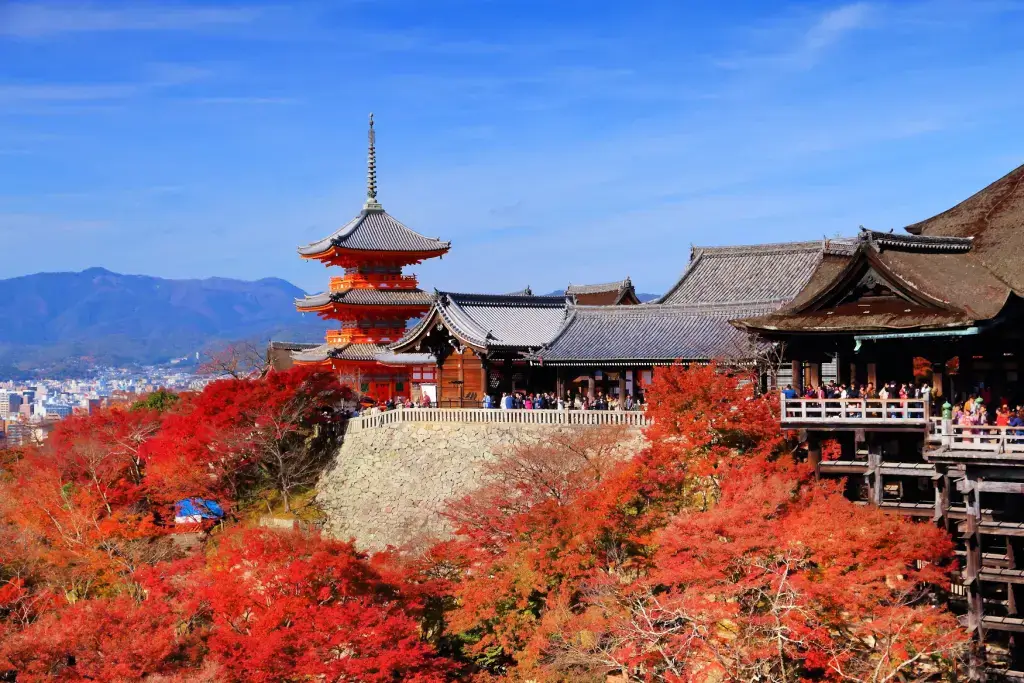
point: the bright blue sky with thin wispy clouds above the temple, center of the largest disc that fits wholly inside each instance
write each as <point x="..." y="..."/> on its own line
<point x="550" y="142"/>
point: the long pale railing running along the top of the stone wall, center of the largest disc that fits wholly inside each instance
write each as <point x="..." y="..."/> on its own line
<point x="484" y="415"/>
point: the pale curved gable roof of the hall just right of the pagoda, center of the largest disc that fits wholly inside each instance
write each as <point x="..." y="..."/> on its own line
<point x="494" y="321"/>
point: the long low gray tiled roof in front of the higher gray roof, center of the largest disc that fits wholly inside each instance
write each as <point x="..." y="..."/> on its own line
<point x="651" y="333"/>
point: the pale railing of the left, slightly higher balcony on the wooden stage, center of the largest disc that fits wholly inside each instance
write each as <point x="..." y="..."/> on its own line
<point x="909" y="412"/>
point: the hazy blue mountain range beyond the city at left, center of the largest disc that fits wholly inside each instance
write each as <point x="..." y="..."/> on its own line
<point x="56" y="322"/>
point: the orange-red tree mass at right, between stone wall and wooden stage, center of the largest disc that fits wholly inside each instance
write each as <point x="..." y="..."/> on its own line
<point x="710" y="556"/>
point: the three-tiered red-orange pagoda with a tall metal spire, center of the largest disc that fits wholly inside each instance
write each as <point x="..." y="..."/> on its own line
<point x="374" y="301"/>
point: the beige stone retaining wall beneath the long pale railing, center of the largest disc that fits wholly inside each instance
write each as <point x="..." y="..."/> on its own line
<point x="388" y="485"/>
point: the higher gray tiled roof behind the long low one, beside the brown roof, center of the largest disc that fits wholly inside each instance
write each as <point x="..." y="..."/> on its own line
<point x="774" y="273"/>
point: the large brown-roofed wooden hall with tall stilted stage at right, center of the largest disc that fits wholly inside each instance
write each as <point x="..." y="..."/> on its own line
<point x="941" y="305"/>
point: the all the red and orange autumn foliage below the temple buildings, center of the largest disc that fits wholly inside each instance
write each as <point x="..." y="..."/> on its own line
<point x="702" y="553"/>
